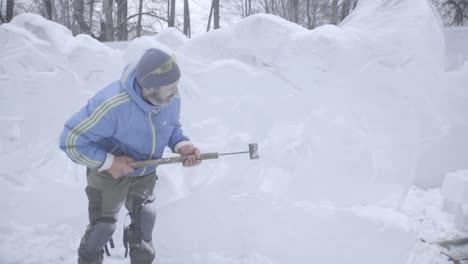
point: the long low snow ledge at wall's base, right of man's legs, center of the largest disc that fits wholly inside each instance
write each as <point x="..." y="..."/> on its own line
<point x="243" y="226"/>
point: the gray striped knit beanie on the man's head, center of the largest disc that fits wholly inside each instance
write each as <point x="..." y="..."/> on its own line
<point x="156" y="68"/>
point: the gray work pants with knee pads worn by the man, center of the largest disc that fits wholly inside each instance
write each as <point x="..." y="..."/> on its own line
<point x="106" y="196"/>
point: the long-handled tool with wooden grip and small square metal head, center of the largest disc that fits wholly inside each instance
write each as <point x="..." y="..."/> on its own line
<point x="253" y="152"/>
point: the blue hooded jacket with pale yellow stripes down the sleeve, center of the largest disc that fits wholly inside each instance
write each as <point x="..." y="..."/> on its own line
<point x="118" y="121"/>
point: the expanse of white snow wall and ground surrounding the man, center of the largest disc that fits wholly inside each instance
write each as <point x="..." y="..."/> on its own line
<point x="347" y="119"/>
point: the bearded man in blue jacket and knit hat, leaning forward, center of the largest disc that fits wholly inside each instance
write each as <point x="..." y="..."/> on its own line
<point x="131" y="119"/>
